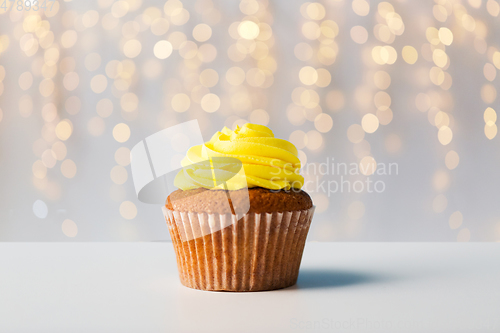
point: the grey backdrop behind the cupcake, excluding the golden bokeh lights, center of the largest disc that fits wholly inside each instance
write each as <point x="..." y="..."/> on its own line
<point x="403" y="212"/>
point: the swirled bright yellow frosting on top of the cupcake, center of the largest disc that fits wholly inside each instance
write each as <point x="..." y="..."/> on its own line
<point x="267" y="161"/>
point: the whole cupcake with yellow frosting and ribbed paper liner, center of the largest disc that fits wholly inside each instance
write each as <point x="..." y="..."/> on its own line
<point x="239" y="219"/>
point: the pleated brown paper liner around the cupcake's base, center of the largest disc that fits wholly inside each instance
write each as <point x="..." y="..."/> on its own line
<point x="257" y="251"/>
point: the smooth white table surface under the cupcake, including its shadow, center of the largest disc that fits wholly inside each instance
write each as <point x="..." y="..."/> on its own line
<point x="343" y="287"/>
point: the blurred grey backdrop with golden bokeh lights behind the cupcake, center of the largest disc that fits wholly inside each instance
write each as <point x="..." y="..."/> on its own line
<point x="410" y="84"/>
